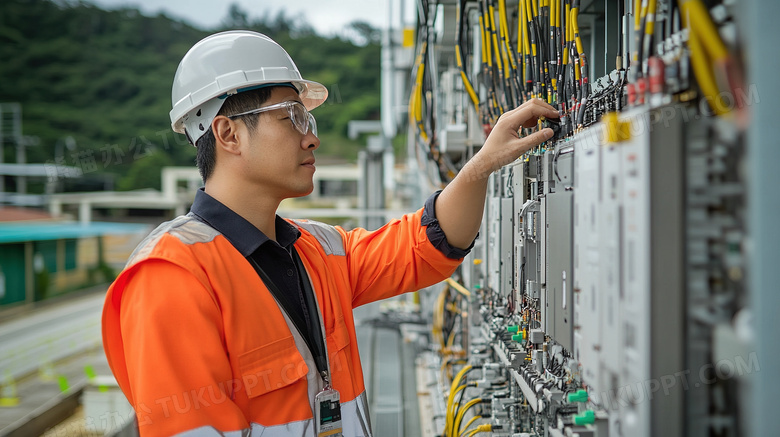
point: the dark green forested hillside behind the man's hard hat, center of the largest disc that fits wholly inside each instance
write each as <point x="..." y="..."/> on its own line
<point x="104" y="79"/>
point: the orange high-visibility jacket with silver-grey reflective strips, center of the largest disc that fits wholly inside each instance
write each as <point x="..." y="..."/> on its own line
<point x="198" y="343"/>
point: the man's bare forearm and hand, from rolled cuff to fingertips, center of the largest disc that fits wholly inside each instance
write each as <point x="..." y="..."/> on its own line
<point x="459" y="207"/>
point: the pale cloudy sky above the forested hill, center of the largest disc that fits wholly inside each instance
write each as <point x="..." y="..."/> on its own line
<point x="328" y="17"/>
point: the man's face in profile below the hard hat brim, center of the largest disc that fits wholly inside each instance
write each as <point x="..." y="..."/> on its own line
<point x="277" y="158"/>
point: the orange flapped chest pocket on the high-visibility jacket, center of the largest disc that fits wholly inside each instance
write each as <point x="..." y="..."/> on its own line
<point x="271" y="367"/>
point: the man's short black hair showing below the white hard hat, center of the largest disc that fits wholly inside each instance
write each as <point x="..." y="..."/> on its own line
<point x="206" y="146"/>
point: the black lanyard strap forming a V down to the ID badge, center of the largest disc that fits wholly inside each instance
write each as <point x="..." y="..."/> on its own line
<point x="320" y="356"/>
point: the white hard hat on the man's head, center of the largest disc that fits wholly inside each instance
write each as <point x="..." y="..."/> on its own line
<point x="227" y="63"/>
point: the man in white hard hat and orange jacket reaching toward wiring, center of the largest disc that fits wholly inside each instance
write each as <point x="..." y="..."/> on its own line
<point x="233" y="321"/>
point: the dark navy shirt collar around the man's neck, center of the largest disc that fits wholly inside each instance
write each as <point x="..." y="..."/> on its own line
<point x="244" y="236"/>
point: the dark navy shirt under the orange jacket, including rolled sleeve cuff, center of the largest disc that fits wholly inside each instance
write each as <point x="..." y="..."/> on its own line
<point x="276" y="258"/>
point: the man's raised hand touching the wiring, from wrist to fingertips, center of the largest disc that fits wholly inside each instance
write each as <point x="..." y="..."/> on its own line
<point x="504" y="143"/>
